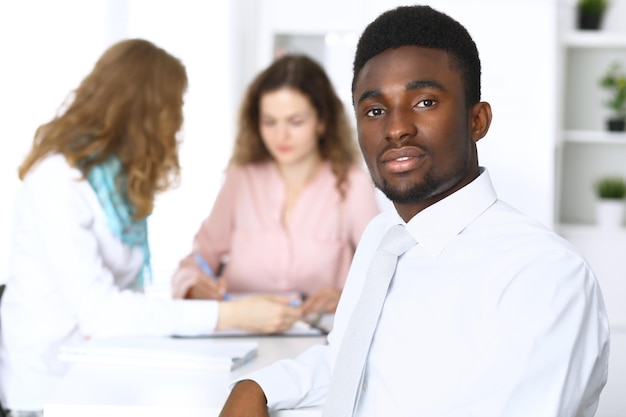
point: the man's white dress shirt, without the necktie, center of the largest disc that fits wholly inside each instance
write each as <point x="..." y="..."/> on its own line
<point x="490" y="315"/>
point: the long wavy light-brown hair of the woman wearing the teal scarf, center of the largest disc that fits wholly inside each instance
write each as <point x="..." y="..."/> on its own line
<point x="130" y="107"/>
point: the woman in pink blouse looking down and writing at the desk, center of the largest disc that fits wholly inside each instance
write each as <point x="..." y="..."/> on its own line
<point x="295" y="199"/>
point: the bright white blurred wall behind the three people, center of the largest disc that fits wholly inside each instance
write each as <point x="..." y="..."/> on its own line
<point x="47" y="47"/>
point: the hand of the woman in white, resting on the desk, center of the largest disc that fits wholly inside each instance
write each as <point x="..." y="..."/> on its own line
<point x="259" y="314"/>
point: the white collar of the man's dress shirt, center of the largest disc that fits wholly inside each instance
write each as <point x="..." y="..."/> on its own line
<point x="434" y="227"/>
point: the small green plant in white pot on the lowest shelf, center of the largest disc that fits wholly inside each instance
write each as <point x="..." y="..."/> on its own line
<point x="610" y="191"/>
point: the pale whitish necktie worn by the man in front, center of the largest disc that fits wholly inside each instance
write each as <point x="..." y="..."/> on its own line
<point x="350" y="364"/>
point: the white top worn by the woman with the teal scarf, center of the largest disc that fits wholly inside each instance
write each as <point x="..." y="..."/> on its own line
<point x="70" y="278"/>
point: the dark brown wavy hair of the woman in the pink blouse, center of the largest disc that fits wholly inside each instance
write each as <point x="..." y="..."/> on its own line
<point x="301" y="73"/>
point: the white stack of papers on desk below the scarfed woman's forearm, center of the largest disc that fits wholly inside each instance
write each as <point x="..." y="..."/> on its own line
<point x="197" y="354"/>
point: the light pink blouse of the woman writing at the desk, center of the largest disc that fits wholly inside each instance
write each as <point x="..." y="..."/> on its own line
<point x="313" y="251"/>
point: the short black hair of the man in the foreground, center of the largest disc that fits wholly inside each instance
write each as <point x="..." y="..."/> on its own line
<point x="425" y="27"/>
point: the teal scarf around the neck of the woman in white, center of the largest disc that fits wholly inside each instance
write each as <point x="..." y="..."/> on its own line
<point x="102" y="178"/>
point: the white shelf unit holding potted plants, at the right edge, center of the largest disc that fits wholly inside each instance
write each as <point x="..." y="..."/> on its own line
<point x="585" y="151"/>
